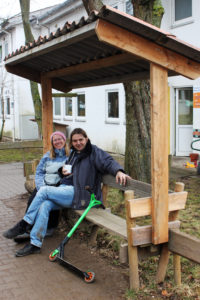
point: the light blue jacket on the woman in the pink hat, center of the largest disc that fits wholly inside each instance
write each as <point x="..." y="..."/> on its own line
<point x="47" y="169"/>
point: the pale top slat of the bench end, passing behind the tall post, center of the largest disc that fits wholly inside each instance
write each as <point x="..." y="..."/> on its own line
<point x="142" y="206"/>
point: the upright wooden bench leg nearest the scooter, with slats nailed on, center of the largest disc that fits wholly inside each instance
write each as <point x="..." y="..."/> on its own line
<point x="132" y="251"/>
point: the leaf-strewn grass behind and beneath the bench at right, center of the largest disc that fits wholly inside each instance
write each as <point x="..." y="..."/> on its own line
<point x="190" y="224"/>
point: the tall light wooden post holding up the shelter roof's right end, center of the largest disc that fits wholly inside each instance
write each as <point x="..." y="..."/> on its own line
<point x="159" y="153"/>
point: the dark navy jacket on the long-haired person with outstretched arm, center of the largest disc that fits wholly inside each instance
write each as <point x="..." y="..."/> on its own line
<point x="88" y="169"/>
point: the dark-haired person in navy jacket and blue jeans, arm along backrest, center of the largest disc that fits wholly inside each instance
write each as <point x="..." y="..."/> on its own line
<point x="88" y="164"/>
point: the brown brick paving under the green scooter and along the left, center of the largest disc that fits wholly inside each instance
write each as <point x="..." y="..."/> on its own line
<point x="35" y="277"/>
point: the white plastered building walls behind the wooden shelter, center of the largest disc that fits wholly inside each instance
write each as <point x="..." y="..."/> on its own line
<point x="110" y="136"/>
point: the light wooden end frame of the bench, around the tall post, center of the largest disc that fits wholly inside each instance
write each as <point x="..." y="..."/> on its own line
<point x="138" y="236"/>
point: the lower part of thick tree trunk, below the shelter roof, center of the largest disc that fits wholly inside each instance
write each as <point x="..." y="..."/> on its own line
<point x="138" y="143"/>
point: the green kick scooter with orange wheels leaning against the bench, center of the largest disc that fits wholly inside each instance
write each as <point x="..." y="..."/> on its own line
<point x="58" y="254"/>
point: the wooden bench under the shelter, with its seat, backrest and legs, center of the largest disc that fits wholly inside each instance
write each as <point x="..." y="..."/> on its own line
<point x="139" y="237"/>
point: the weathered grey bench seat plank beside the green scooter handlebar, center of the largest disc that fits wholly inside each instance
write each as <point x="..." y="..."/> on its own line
<point x="105" y="219"/>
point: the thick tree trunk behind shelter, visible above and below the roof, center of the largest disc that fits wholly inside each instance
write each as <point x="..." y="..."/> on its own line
<point x="138" y="139"/>
